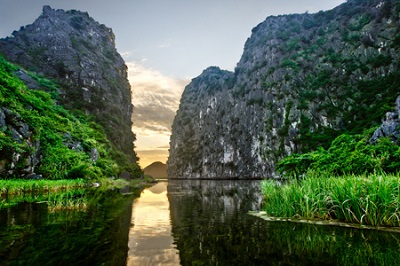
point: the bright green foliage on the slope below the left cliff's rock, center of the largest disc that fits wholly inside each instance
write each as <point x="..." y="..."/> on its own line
<point x="55" y="128"/>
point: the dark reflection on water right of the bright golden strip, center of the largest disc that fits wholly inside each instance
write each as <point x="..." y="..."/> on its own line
<point x="211" y="226"/>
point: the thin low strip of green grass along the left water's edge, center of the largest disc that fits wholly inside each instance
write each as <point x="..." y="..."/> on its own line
<point x="20" y="186"/>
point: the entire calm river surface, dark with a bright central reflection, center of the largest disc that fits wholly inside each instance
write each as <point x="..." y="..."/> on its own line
<point x="178" y="222"/>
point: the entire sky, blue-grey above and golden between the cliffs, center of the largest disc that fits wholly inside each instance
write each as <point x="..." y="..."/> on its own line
<point x="165" y="44"/>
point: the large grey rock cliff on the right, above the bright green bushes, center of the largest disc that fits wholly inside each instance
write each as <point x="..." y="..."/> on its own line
<point x="302" y="80"/>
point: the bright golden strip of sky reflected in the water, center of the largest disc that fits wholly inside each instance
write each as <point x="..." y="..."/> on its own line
<point x="150" y="240"/>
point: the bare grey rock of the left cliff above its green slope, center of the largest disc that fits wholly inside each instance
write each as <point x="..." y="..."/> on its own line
<point x="79" y="53"/>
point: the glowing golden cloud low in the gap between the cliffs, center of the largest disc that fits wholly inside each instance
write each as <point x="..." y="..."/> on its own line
<point x="156" y="99"/>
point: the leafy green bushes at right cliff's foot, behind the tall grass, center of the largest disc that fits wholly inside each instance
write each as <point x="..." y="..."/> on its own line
<point x="348" y="154"/>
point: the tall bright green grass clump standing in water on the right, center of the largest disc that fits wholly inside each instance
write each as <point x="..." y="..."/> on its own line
<point x="368" y="200"/>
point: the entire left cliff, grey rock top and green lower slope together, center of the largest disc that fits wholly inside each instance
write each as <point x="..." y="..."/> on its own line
<point x="73" y="119"/>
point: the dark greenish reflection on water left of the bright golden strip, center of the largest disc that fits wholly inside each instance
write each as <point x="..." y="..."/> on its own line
<point x="34" y="234"/>
